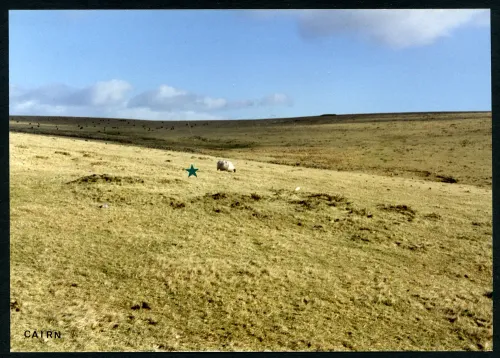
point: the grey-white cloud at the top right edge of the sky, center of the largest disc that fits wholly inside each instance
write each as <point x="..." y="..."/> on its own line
<point x="393" y="28"/>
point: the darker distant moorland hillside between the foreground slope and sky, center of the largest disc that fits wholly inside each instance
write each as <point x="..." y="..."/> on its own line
<point x="414" y="145"/>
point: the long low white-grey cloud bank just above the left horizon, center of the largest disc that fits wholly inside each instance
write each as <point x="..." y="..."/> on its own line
<point x="113" y="99"/>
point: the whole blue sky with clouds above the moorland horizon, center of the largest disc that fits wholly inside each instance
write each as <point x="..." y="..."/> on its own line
<point x="247" y="64"/>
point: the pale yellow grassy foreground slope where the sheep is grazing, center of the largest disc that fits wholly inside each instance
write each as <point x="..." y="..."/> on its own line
<point x="240" y="261"/>
